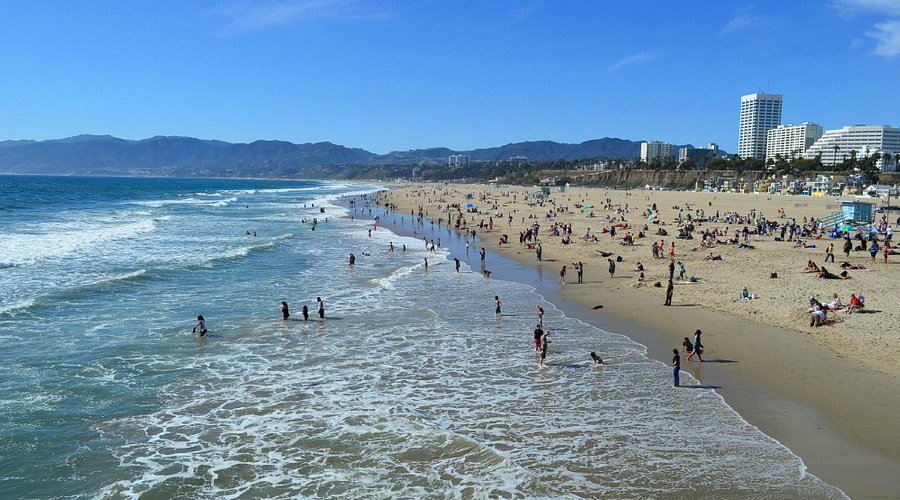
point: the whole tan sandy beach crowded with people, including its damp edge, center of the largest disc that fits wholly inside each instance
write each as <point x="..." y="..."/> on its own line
<point x="827" y="392"/>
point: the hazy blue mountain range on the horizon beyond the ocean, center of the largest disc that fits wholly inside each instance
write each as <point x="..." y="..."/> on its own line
<point x="188" y="156"/>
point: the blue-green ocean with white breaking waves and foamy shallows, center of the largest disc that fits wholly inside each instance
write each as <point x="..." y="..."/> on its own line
<point x="410" y="388"/>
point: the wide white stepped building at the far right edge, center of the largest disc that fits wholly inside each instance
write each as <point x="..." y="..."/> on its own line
<point x="835" y="146"/>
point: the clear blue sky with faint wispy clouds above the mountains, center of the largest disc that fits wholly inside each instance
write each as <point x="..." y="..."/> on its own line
<point x="402" y="75"/>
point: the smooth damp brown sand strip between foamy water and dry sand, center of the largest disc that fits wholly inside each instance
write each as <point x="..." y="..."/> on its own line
<point x="837" y="415"/>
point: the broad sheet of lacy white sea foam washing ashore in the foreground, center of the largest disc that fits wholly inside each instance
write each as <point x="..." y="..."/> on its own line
<point x="446" y="401"/>
